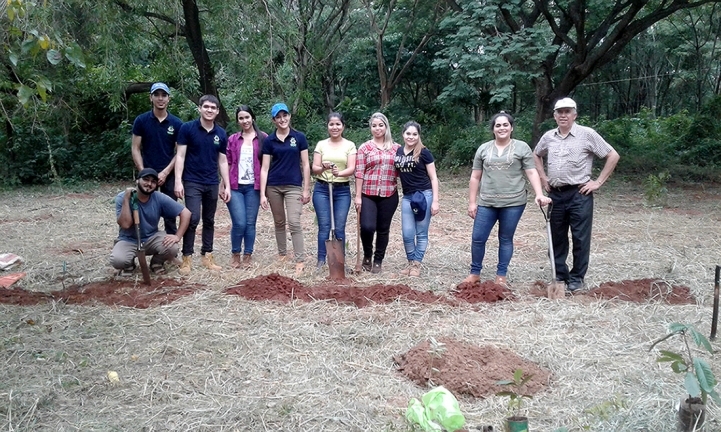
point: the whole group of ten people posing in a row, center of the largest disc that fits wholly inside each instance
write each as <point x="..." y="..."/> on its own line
<point x="251" y="170"/>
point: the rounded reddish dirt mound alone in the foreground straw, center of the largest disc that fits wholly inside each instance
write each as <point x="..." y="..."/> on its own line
<point x="467" y="369"/>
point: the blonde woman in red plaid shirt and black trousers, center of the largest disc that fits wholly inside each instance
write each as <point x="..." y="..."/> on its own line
<point x="376" y="193"/>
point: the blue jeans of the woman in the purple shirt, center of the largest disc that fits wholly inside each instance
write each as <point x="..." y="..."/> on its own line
<point x="243" y="208"/>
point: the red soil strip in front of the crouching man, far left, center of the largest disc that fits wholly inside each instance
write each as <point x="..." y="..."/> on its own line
<point x="112" y="293"/>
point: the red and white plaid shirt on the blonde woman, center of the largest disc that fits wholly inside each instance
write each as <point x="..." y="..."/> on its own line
<point x="375" y="167"/>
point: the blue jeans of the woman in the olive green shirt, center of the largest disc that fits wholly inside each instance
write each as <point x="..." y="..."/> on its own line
<point x="486" y="218"/>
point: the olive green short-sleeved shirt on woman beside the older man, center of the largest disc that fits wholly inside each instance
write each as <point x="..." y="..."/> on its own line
<point x="503" y="183"/>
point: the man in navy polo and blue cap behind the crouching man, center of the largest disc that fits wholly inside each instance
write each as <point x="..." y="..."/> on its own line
<point x="153" y="146"/>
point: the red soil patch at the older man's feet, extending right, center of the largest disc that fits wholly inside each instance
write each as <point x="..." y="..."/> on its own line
<point x="638" y="291"/>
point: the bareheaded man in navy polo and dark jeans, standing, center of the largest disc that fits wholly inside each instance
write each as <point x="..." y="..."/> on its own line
<point x="201" y="152"/>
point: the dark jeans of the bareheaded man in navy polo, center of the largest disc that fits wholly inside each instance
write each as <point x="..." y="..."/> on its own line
<point x="197" y="195"/>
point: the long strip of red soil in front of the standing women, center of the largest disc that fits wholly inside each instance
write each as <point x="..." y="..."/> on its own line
<point x="283" y="289"/>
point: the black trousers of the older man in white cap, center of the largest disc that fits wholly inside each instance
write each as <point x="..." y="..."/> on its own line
<point x="573" y="210"/>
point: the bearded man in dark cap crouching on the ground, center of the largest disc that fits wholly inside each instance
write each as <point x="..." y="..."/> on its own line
<point x="151" y="207"/>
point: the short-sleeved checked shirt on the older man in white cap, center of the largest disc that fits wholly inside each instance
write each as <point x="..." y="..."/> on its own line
<point x="570" y="159"/>
